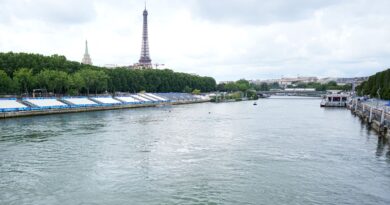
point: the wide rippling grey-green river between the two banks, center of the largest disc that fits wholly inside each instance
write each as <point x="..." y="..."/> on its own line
<point x="282" y="151"/>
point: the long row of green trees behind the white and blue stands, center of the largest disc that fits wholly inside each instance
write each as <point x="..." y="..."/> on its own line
<point x="25" y="72"/>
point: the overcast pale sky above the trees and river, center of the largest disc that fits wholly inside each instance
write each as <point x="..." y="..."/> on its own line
<point x="225" y="39"/>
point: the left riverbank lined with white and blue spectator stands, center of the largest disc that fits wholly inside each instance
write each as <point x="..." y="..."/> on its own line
<point x="48" y="106"/>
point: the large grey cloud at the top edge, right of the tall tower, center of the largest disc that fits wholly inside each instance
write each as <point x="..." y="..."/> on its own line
<point x="259" y="12"/>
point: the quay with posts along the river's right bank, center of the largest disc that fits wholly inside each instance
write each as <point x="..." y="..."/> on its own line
<point x="378" y="117"/>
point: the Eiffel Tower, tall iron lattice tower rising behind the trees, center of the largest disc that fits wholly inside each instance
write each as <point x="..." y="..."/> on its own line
<point x="145" y="60"/>
